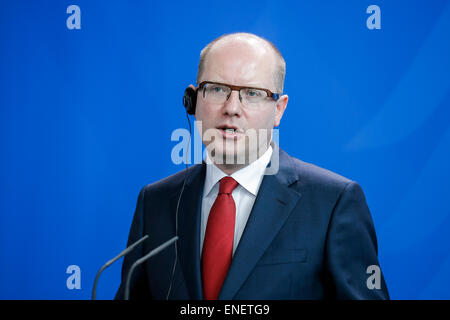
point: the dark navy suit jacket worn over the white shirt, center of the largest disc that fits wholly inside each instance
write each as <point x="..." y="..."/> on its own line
<point x="310" y="235"/>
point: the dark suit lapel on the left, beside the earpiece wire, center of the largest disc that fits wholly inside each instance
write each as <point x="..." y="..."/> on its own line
<point x="189" y="229"/>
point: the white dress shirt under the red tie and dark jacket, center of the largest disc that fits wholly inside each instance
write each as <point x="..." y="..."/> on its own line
<point x="244" y="195"/>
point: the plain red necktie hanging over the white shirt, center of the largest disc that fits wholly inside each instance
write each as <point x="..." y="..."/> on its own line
<point x="218" y="243"/>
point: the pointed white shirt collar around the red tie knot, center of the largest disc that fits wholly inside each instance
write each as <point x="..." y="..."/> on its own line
<point x="249" y="177"/>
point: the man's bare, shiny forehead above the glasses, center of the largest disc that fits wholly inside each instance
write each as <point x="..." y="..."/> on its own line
<point x="248" y="62"/>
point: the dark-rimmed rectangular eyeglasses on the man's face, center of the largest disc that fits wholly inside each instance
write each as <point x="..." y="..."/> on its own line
<point x="216" y="92"/>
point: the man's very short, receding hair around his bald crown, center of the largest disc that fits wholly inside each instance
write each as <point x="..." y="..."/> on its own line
<point x="280" y="68"/>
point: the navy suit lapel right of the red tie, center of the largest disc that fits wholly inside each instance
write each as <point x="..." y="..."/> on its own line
<point x="274" y="203"/>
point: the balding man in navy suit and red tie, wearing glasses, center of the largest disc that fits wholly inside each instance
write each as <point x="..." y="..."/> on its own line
<point x="301" y="233"/>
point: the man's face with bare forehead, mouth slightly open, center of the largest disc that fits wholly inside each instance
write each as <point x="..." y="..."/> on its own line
<point x="239" y="63"/>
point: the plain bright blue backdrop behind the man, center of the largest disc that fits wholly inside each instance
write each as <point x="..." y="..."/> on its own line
<point x="86" y="118"/>
